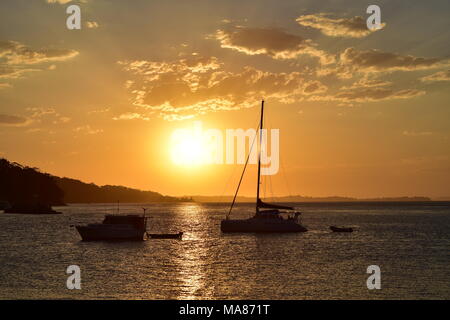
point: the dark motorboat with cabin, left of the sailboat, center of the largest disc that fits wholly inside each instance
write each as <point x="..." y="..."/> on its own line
<point x="115" y="228"/>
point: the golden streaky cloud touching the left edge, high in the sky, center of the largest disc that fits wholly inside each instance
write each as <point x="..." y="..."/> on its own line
<point x="15" y="53"/>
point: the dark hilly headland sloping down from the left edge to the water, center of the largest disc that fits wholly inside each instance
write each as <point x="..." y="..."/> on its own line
<point x="28" y="188"/>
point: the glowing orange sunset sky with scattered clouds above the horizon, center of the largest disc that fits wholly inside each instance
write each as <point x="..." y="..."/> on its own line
<point x="360" y="113"/>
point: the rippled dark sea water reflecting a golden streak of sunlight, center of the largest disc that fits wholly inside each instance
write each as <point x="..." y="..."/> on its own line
<point x="410" y="243"/>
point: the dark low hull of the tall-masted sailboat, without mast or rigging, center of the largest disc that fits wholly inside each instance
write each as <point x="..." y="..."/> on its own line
<point x="260" y="225"/>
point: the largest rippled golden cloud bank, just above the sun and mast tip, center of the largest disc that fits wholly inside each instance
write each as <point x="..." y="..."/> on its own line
<point x="197" y="85"/>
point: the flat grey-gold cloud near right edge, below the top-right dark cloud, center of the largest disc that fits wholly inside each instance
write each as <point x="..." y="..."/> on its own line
<point x="377" y="61"/>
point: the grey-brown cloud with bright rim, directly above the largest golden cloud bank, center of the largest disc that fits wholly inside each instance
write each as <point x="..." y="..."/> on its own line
<point x="269" y="41"/>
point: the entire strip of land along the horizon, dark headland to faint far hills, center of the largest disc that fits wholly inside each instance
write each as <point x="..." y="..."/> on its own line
<point x="22" y="187"/>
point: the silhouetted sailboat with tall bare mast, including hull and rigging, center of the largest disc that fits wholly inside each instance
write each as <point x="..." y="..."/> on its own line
<point x="269" y="220"/>
